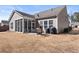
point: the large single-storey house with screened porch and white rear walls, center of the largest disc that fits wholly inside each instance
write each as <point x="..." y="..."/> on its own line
<point x="54" y="17"/>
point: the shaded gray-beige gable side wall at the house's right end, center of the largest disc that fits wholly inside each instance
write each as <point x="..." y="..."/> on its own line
<point x="63" y="20"/>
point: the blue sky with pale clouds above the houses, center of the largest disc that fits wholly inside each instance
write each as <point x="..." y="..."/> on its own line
<point x="6" y="10"/>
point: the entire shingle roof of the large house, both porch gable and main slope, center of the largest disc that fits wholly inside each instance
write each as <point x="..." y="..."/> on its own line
<point x="53" y="12"/>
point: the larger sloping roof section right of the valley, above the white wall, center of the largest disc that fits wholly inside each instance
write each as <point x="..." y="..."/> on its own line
<point x="49" y="13"/>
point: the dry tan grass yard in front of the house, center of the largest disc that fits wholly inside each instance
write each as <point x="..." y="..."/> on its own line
<point x="19" y="42"/>
